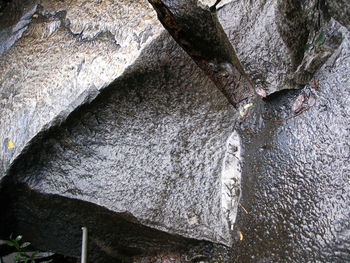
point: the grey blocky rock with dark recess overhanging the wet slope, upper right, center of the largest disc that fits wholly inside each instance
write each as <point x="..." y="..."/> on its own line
<point x="270" y="39"/>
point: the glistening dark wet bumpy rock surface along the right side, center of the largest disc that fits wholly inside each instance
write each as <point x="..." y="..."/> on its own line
<point x="296" y="173"/>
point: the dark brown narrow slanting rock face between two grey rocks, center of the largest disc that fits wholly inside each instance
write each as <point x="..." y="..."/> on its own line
<point x="197" y="30"/>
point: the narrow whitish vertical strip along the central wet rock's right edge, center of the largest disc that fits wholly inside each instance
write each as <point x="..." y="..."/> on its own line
<point x="231" y="178"/>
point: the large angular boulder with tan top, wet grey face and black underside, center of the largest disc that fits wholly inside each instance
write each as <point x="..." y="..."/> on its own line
<point x="114" y="118"/>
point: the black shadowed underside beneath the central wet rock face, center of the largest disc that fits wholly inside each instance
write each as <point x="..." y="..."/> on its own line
<point x="53" y="223"/>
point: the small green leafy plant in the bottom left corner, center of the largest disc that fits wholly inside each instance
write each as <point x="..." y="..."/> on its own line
<point x="21" y="254"/>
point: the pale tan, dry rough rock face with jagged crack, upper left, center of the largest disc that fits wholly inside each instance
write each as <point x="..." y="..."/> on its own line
<point x="69" y="52"/>
